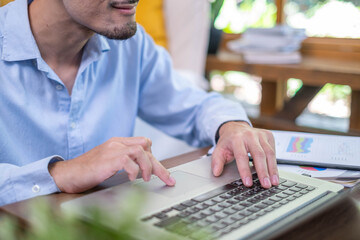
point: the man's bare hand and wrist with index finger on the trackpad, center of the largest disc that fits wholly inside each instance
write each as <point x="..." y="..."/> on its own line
<point x="90" y="169"/>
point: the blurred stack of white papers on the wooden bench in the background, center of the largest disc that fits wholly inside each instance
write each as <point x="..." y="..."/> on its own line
<point x="277" y="45"/>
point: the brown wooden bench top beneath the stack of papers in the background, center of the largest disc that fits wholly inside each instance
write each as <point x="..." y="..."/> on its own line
<point x="311" y="70"/>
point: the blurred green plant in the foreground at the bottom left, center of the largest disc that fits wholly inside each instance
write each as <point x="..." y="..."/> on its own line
<point x="49" y="224"/>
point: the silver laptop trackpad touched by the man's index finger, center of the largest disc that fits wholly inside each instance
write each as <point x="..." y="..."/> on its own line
<point x="185" y="182"/>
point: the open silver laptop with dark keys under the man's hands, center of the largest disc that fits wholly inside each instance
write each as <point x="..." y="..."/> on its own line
<point x="202" y="206"/>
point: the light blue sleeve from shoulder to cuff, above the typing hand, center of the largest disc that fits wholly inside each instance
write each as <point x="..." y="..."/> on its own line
<point x="176" y="106"/>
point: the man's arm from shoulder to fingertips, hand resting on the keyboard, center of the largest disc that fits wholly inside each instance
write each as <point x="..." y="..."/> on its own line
<point x="174" y="105"/>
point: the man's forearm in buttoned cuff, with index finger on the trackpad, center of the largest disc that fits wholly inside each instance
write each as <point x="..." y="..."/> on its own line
<point x="53" y="174"/>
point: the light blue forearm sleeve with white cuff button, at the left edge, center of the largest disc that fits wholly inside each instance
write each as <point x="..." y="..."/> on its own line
<point x="28" y="181"/>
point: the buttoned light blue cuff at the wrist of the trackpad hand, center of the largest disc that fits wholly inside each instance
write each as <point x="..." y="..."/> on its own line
<point x="33" y="179"/>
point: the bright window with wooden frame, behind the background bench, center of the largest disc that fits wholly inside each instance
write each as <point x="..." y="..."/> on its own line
<point x="333" y="28"/>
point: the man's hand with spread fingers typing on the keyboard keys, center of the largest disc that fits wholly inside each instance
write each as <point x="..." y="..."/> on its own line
<point x="237" y="139"/>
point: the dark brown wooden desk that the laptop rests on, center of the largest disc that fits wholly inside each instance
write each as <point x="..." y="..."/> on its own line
<point x="340" y="222"/>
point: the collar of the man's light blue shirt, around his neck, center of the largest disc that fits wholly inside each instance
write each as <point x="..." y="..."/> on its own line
<point x="20" y="44"/>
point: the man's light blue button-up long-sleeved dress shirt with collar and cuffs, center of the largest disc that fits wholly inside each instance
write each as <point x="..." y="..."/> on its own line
<point x="116" y="82"/>
